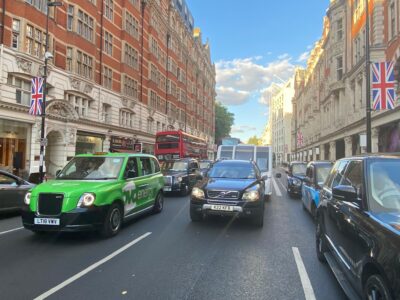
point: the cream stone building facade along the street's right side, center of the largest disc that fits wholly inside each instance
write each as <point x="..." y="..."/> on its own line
<point x="330" y="94"/>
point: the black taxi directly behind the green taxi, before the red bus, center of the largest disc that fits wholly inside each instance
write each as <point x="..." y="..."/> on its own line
<point x="180" y="175"/>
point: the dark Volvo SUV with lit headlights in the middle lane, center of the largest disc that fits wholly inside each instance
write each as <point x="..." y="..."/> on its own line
<point x="233" y="188"/>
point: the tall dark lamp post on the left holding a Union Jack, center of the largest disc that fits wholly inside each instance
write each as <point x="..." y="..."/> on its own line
<point x="47" y="56"/>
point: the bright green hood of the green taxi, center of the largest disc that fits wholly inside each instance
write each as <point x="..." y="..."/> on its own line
<point x="73" y="188"/>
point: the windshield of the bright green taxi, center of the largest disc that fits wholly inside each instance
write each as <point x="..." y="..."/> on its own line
<point x="92" y="168"/>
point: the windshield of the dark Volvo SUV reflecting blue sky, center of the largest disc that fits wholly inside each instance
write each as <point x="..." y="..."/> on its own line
<point x="232" y="171"/>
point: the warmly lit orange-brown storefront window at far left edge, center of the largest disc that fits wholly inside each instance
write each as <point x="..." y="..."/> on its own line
<point x="14" y="146"/>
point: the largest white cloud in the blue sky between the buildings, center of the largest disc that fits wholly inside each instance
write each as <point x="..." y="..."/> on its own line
<point x="240" y="79"/>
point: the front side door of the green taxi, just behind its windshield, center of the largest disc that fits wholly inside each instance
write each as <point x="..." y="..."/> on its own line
<point x="133" y="198"/>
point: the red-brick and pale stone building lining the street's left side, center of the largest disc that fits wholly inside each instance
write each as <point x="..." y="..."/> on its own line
<point x="121" y="71"/>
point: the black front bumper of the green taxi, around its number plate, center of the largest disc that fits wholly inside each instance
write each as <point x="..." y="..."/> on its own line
<point x="80" y="219"/>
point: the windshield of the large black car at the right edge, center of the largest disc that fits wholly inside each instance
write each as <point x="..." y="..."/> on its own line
<point x="384" y="187"/>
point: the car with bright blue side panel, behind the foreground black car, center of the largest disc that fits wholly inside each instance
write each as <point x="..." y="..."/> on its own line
<point x="316" y="174"/>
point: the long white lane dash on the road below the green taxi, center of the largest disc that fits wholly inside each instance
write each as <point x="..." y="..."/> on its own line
<point x="90" y="268"/>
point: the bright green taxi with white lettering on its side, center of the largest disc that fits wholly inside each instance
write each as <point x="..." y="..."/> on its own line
<point x="96" y="192"/>
